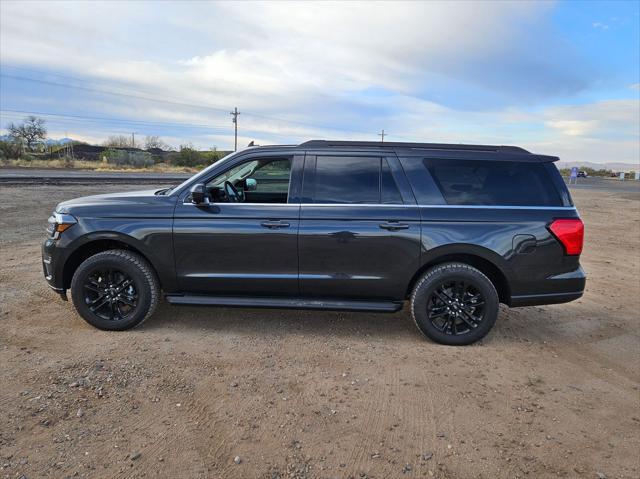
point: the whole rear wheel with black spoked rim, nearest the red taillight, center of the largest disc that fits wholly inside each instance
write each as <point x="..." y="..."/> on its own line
<point x="454" y="304"/>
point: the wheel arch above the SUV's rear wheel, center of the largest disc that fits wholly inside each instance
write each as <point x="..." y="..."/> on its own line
<point x="483" y="259"/>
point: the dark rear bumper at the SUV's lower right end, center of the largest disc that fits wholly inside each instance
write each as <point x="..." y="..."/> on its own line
<point x="560" y="288"/>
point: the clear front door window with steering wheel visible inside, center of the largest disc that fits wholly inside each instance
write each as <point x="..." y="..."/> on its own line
<point x="264" y="180"/>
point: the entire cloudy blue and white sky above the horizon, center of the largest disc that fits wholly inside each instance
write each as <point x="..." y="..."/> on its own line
<point x="556" y="77"/>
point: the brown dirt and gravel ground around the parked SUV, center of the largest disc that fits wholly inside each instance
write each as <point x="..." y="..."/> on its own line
<point x="551" y="392"/>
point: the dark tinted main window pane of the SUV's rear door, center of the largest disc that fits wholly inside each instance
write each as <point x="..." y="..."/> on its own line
<point x="347" y="180"/>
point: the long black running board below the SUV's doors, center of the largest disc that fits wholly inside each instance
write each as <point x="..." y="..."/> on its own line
<point x="285" y="303"/>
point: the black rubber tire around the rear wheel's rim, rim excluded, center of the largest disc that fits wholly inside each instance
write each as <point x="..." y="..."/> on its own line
<point x="433" y="280"/>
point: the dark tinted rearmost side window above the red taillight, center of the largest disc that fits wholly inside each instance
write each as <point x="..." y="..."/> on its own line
<point x="506" y="183"/>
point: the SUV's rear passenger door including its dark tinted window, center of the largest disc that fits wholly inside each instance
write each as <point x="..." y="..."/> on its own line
<point x="359" y="233"/>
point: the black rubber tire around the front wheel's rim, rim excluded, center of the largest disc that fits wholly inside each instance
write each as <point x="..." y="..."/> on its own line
<point x="111" y="260"/>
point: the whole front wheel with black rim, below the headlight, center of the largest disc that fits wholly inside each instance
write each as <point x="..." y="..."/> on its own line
<point x="131" y="300"/>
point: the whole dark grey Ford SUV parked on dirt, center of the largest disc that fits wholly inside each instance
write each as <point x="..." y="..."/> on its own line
<point x="361" y="226"/>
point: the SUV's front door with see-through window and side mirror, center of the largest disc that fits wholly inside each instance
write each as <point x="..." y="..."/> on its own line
<point x="245" y="241"/>
